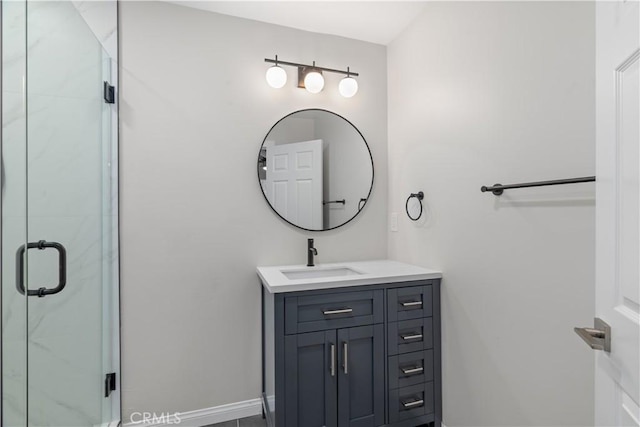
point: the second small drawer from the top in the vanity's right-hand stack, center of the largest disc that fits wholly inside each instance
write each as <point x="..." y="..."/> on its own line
<point x="410" y="335"/>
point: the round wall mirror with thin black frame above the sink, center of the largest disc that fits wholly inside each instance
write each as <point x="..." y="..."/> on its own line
<point x="315" y="169"/>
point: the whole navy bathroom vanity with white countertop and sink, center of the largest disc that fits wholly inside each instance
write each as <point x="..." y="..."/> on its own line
<point x="351" y="344"/>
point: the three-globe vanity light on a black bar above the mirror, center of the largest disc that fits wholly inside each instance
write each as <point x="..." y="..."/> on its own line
<point x="310" y="77"/>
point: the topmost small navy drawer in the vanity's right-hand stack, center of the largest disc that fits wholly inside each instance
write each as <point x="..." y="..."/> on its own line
<point x="412" y="302"/>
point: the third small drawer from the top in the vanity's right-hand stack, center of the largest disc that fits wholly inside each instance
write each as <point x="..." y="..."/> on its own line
<point x="410" y="369"/>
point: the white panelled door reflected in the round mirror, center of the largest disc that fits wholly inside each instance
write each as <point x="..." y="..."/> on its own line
<point x="294" y="182"/>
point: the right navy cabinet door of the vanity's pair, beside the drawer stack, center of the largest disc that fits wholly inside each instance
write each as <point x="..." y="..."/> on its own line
<point x="361" y="376"/>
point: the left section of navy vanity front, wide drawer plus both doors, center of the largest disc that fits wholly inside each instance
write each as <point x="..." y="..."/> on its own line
<point x="334" y="358"/>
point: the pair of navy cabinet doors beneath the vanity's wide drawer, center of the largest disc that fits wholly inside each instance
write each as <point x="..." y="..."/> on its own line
<point x="335" y="377"/>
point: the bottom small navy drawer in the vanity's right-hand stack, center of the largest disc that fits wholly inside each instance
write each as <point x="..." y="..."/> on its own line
<point x="410" y="402"/>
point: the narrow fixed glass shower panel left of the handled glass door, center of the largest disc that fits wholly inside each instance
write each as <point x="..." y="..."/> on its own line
<point x="13" y="185"/>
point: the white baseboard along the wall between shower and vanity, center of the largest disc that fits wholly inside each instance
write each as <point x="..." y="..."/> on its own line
<point x="202" y="417"/>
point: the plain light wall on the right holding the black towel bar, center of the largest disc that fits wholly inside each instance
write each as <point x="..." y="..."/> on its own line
<point x="491" y="92"/>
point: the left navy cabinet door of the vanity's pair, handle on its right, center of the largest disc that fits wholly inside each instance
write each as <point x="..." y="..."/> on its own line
<point x="311" y="369"/>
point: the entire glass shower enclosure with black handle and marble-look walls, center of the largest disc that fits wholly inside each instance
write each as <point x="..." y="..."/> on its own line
<point x="59" y="214"/>
